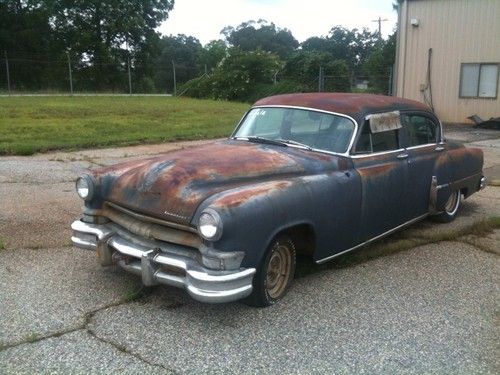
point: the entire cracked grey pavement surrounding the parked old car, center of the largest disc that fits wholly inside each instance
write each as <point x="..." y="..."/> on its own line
<point x="426" y="309"/>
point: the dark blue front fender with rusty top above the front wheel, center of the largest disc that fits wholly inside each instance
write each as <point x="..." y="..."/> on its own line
<point x="253" y="215"/>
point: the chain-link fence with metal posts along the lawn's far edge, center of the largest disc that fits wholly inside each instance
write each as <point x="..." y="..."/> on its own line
<point x="33" y="75"/>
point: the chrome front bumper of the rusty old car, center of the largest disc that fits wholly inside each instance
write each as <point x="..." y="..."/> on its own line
<point x="157" y="266"/>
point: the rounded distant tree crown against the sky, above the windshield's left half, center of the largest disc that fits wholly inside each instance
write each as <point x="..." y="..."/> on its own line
<point x="266" y="37"/>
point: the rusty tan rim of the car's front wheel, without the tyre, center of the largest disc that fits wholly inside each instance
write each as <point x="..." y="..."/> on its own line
<point x="278" y="271"/>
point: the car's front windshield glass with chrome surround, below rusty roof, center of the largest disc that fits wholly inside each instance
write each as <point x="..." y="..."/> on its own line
<point x="300" y="127"/>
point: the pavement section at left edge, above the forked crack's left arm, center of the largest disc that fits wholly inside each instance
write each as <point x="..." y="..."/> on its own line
<point x="45" y="291"/>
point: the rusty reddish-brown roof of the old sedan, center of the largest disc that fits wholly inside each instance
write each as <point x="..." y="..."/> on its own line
<point x="355" y="105"/>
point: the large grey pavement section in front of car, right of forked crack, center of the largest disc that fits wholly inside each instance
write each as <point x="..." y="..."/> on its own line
<point x="427" y="310"/>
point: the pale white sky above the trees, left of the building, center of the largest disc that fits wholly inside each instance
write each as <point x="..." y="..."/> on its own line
<point x="204" y="19"/>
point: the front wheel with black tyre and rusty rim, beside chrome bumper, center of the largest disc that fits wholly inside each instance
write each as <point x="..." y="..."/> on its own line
<point x="275" y="274"/>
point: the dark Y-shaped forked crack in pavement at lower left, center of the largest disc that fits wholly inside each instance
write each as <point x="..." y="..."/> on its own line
<point x="87" y="320"/>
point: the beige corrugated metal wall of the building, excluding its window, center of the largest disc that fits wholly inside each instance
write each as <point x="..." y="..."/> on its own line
<point x="458" y="31"/>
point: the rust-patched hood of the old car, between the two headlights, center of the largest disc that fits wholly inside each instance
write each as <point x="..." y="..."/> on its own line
<point x="172" y="186"/>
